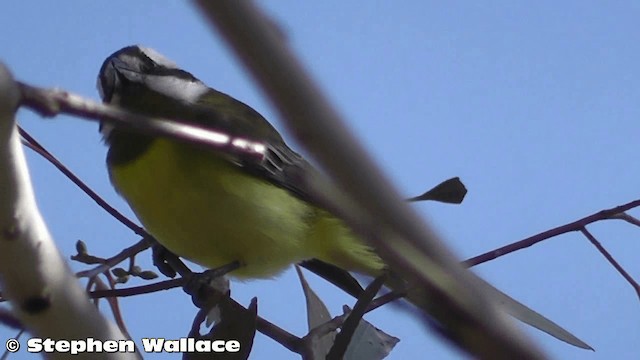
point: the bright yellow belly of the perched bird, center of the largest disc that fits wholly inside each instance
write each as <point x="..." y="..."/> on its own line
<point x="210" y="212"/>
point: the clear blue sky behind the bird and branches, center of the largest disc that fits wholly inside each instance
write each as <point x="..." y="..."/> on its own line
<point x="533" y="105"/>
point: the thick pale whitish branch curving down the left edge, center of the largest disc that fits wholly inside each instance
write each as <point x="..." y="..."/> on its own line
<point x="45" y="295"/>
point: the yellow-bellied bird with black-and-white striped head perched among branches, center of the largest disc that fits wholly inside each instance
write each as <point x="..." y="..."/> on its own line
<point x="242" y="202"/>
